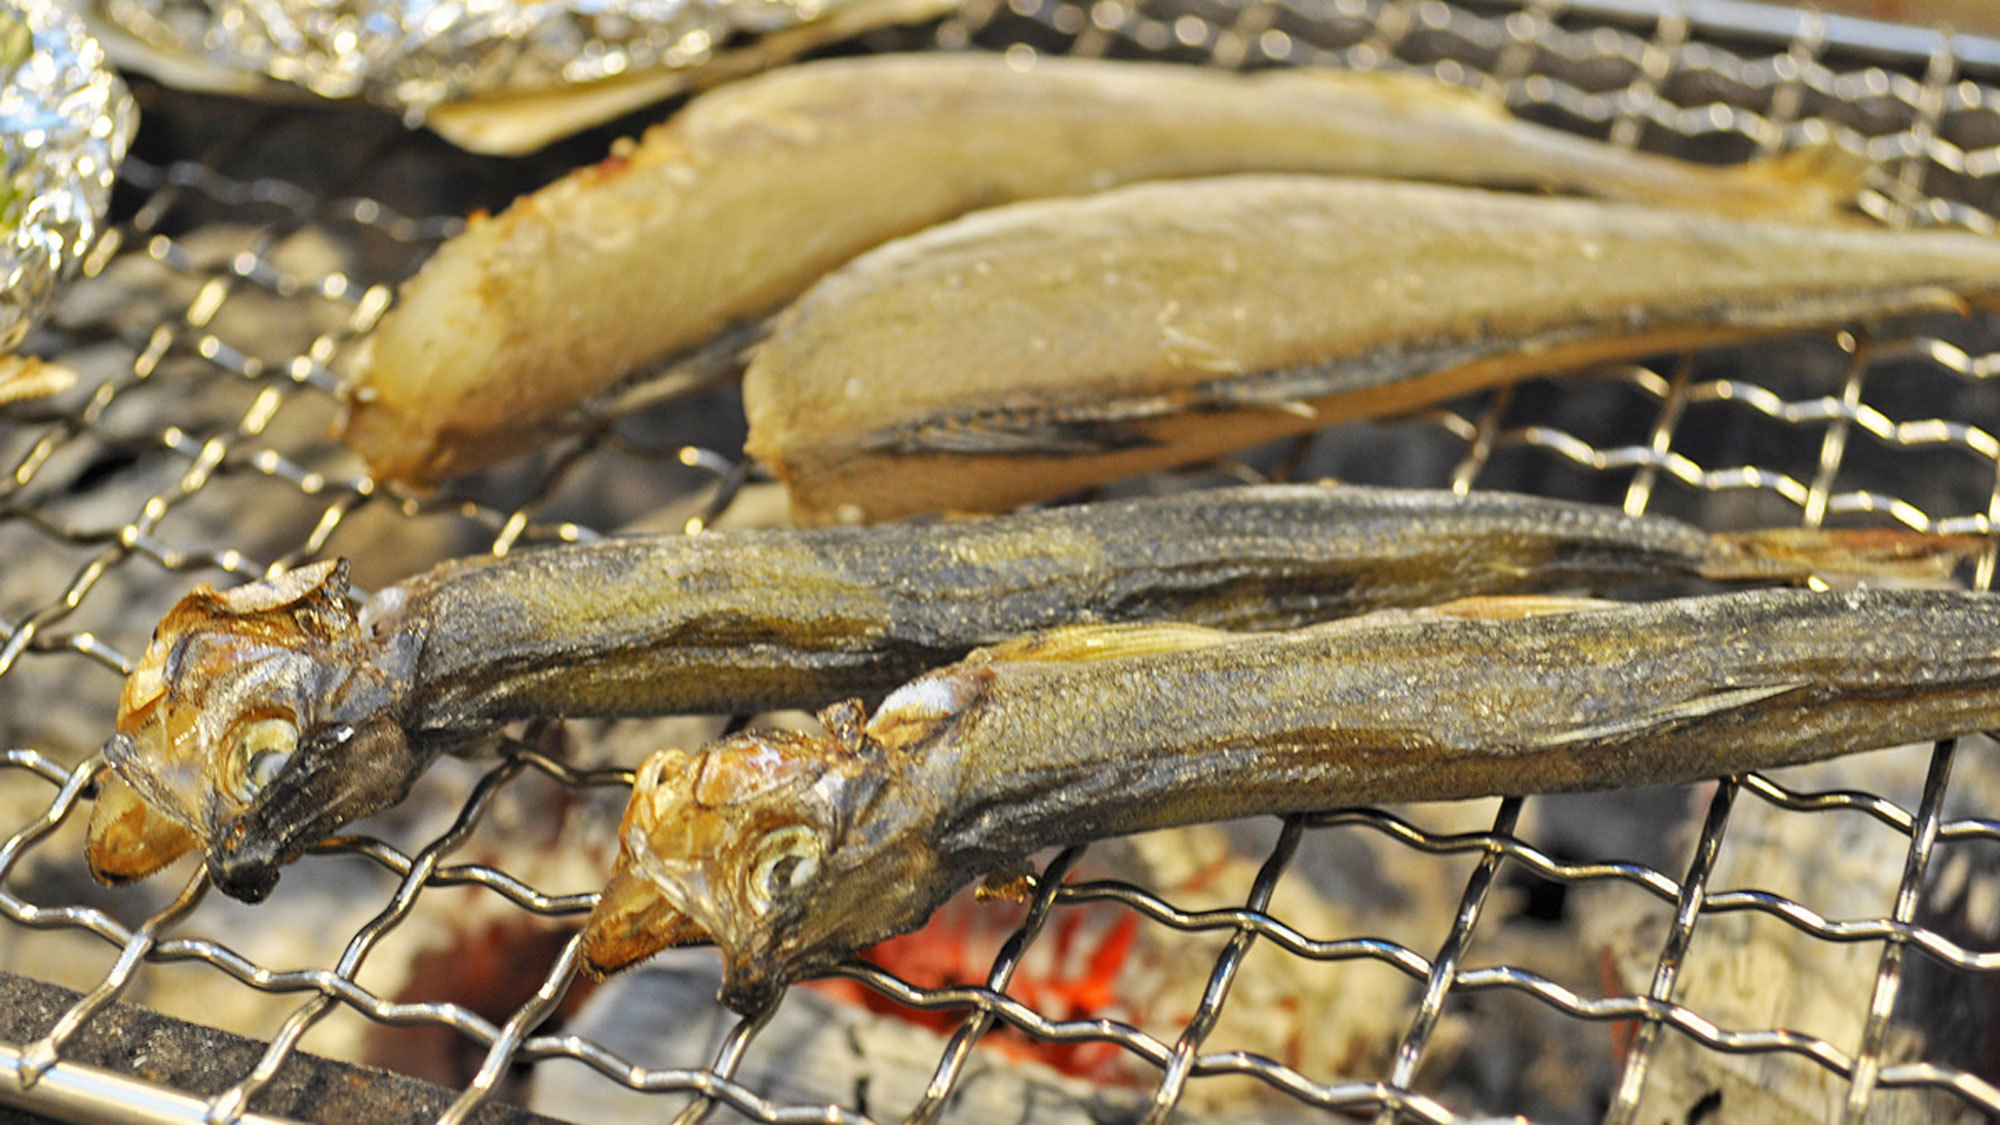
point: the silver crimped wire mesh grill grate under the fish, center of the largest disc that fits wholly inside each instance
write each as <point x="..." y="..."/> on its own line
<point x="259" y="243"/>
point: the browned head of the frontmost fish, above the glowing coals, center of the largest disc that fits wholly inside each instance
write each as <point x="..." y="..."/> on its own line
<point x="773" y="848"/>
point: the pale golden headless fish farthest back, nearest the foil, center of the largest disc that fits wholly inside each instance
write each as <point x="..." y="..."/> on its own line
<point x="677" y="245"/>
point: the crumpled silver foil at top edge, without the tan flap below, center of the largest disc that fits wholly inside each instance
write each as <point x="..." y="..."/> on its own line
<point x="415" y="55"/>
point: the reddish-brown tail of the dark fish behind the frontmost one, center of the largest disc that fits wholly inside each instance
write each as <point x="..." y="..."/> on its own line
<point x="1851" y="553"/>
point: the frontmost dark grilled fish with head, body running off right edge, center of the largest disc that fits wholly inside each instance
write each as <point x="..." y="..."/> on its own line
<point x="793" y="852"/>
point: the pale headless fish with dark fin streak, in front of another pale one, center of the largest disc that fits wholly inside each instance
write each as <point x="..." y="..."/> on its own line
<point x="1031" y="351"/>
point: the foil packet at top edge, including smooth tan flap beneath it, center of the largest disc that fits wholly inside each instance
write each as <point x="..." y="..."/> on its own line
<point x="421" y="55"/>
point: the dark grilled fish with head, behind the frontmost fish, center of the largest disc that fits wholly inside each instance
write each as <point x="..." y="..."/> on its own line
<point x="265" y="718"/>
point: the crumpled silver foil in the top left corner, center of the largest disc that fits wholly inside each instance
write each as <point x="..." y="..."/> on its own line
<point x="65" y="125"/>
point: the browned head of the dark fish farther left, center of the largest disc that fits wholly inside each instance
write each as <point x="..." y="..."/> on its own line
<point x="235" y="708"/>
